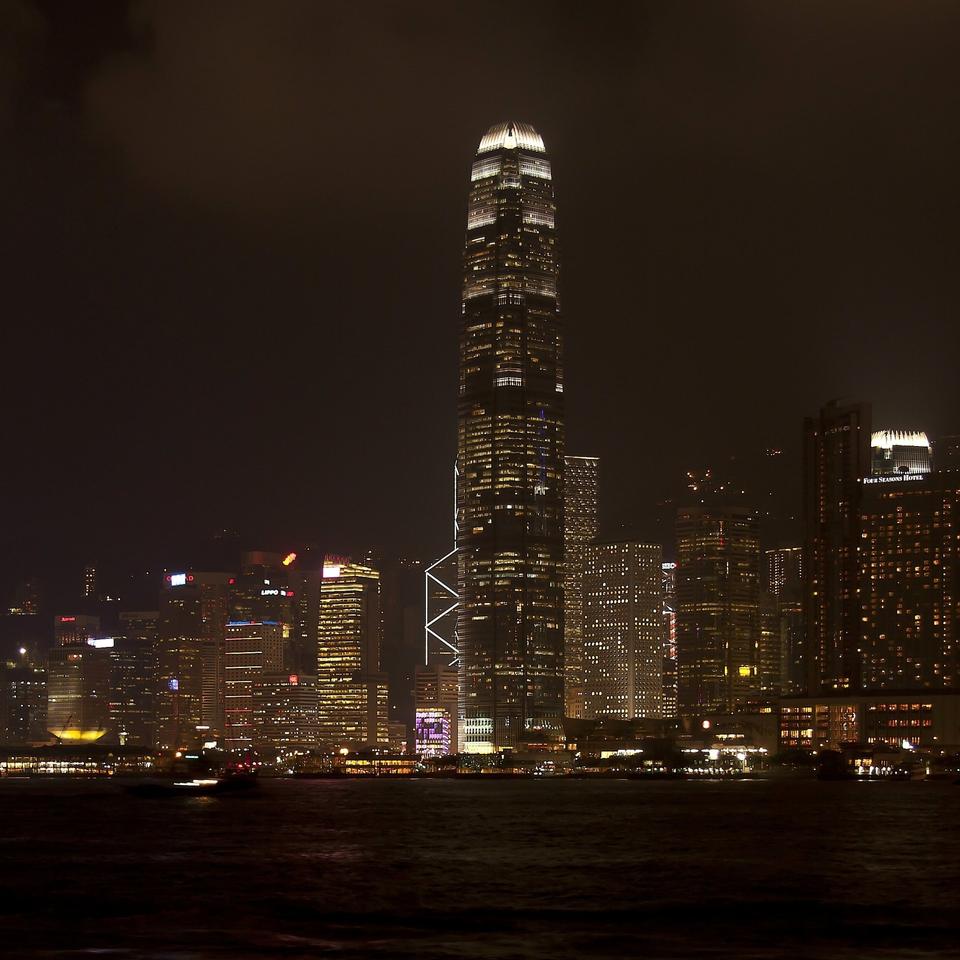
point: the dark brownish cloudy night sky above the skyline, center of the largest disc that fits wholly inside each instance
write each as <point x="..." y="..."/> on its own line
<point x="232" y="272"/>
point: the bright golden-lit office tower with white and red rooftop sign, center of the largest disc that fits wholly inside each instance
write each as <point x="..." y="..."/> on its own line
<point x="352" y="706"/>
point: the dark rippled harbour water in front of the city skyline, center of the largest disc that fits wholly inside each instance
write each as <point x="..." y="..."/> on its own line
<point x="529" y="869"/>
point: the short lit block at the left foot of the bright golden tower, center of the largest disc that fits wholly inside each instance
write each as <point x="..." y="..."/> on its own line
<point x="285" y="713"/>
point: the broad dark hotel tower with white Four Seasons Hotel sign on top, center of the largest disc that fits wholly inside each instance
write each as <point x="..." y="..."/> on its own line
<point x="910" y="582"/>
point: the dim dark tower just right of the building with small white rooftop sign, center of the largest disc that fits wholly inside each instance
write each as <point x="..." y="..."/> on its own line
<point x="133" y="679"/>
